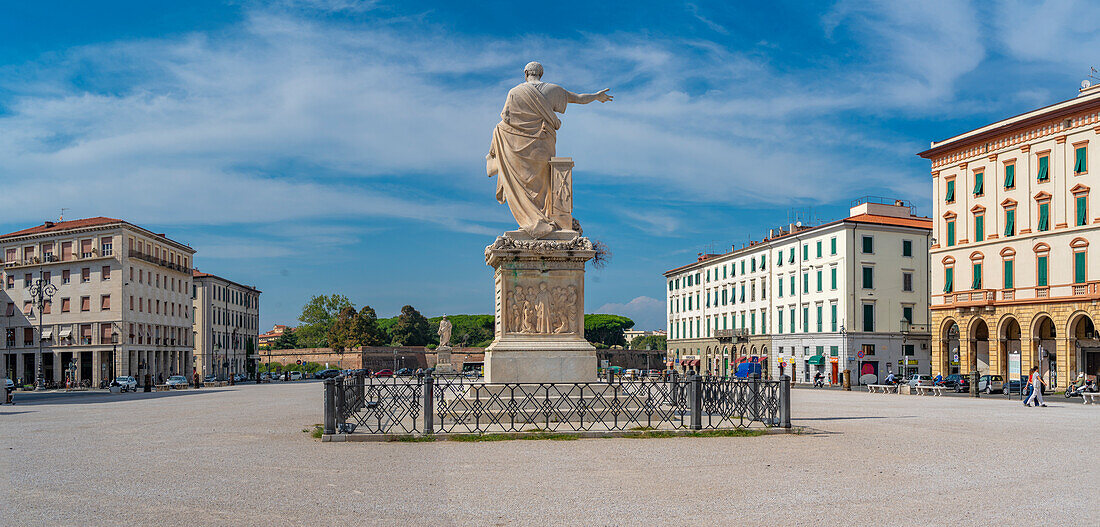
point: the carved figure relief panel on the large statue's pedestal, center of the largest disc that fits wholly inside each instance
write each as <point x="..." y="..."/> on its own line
<point x="541" y="310"/>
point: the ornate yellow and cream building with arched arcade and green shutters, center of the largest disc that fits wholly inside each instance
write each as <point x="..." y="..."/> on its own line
<point x="1014" y="286"/>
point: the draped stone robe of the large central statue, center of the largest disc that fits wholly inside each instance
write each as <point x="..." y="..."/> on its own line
<point x="523" y="145"/>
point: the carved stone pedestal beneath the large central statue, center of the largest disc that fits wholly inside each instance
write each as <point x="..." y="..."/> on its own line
<point x="541" y="310"/>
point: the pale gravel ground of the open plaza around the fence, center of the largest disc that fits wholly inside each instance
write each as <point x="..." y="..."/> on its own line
<point x="238" y="456"/>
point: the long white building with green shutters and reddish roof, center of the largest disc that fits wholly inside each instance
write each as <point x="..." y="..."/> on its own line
<point x="846" y="295"/>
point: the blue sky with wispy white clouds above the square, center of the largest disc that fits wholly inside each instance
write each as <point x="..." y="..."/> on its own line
<point x="338" y="146"/>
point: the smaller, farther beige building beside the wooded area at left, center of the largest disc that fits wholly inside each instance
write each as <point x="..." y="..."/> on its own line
<point x="227" y="325"/>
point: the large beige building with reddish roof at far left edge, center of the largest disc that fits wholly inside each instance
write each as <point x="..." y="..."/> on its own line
<point x="119" y="305"/>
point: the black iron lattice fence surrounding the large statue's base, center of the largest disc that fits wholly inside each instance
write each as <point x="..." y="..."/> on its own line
<point x="458" y="405"/>
